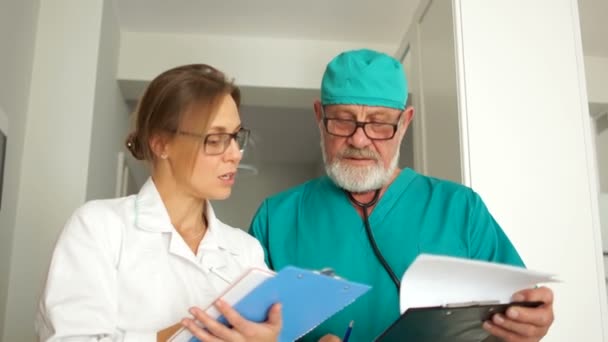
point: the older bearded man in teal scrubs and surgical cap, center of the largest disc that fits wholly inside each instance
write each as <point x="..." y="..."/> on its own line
<point x="368" y="220"/>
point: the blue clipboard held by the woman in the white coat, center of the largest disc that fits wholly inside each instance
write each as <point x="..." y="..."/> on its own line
<point x="308" y="299"/>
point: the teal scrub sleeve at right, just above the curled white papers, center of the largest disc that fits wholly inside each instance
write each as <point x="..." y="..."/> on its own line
<point x="487" y="241"/>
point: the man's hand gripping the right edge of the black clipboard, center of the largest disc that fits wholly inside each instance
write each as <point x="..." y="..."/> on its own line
<point x="524" y="324"/>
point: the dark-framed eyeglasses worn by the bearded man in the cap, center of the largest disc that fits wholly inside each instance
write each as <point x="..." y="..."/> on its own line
<point x="346" y="128"/>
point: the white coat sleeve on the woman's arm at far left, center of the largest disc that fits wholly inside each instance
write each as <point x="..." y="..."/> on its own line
<point x="79" y="302"/>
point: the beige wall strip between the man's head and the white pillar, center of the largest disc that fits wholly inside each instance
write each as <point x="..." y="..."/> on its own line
<point x="427" y="51"/>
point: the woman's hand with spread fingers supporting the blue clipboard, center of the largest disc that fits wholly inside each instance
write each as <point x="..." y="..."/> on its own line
<point x="242" y="329"/>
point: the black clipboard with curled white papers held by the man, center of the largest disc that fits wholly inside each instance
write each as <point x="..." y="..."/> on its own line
<point x="446" y="299"/>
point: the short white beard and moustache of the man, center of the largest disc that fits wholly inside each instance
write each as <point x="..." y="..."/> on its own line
<point x="359" y="178"/>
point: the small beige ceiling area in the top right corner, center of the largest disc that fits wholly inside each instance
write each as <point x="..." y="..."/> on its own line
<point x="594" y="27"/>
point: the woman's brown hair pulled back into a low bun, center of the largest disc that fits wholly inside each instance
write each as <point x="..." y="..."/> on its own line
<point x="170" y="95"/>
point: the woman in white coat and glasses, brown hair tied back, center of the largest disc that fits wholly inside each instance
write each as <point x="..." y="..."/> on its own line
<point x="131" y="269"/>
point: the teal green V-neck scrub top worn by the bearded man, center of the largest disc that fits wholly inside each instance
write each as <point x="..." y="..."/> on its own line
<point x="314" y="226"/>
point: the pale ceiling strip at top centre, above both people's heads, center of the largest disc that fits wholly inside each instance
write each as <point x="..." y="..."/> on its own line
<point x="383" y="21"/>
